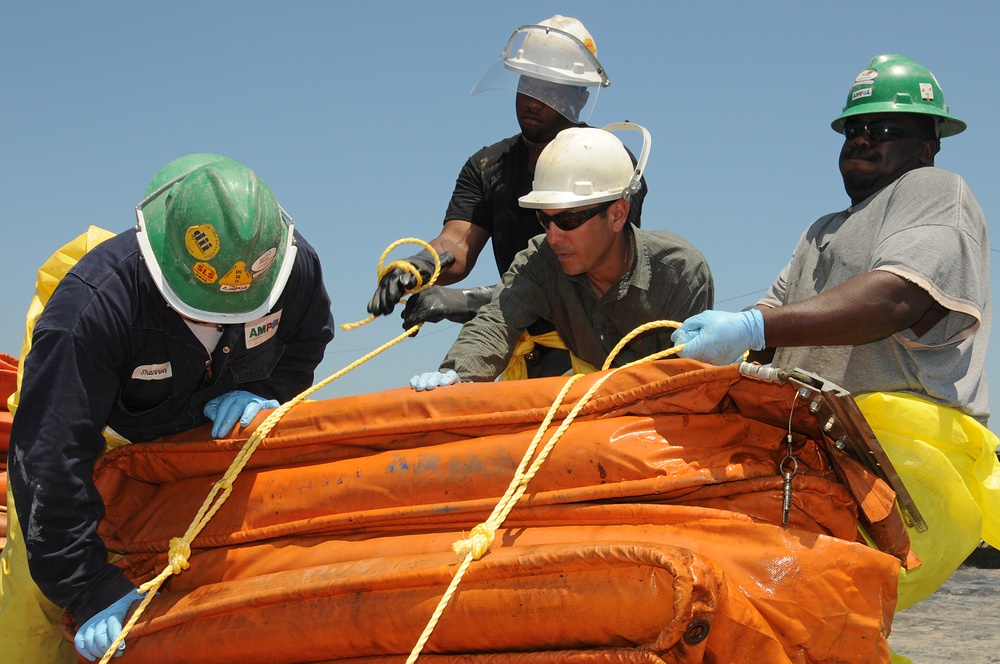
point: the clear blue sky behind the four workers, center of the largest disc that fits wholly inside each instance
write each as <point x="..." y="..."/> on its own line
<point x="359" y="117"/>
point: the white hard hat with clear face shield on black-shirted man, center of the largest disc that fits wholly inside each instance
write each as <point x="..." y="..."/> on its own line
<point x="555" y="62"/>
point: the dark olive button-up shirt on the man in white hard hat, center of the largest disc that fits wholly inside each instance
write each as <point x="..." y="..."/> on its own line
<point x="669" y="280"/>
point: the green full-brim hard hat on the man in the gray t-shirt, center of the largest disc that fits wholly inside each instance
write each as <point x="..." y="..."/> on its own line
<point x="897" y="84"/>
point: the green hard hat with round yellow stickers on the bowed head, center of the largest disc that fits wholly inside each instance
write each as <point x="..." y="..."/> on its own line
<point x="222" y="250"/>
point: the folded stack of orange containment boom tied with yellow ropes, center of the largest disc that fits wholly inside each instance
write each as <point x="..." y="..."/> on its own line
<point x="654" y="532"/>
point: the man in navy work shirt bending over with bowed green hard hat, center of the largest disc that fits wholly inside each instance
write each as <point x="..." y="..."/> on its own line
<point x="211" y="309"/>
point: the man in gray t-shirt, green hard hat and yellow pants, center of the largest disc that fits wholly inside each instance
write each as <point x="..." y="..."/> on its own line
<point x="890" y="299"/>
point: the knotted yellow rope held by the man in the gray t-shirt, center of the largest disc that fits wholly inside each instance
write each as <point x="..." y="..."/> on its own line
<point x="481" y="537"/>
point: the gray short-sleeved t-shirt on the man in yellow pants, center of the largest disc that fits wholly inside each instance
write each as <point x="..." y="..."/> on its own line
<point x="927" y="228"/>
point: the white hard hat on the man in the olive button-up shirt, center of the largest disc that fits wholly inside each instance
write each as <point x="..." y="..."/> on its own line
<point x="585" y="165"/>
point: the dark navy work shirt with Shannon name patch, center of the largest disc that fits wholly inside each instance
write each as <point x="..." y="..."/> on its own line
<point x="108" y="351"/>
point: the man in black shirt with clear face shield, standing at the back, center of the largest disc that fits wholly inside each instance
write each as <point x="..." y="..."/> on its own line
<point x="554" y="70"/>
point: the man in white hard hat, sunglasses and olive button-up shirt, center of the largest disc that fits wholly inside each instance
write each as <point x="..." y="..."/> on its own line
<point x="593" y="274"/>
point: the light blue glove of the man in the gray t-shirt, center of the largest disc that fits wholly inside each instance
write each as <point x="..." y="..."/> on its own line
<point x="720" y="337"/>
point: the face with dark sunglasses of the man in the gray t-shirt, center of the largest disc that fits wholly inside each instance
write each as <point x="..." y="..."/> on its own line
<point x="868" y="164"/>
